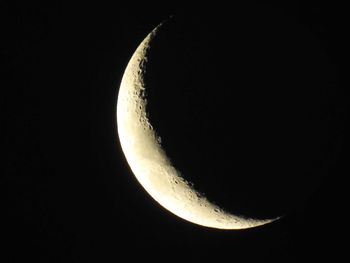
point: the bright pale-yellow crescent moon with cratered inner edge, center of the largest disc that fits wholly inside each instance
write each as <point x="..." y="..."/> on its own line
<point x="148" y="160"/>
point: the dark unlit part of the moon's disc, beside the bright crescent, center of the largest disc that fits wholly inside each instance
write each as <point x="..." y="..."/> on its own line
<point x="243" y="111"/>
